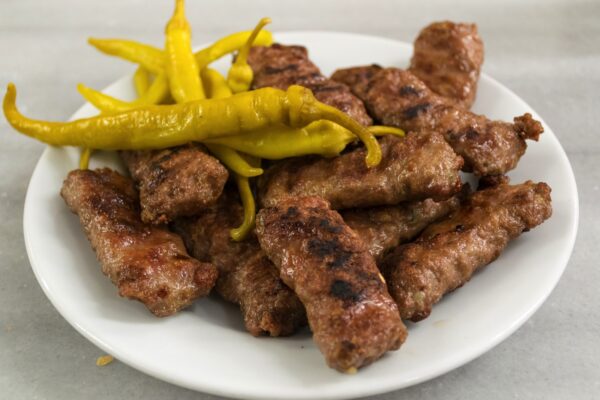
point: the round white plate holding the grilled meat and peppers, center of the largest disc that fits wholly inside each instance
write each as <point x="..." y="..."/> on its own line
<point x="206" y="348"/>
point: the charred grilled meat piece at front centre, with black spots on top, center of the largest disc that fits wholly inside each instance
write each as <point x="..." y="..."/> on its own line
<point x="353" y="318"/>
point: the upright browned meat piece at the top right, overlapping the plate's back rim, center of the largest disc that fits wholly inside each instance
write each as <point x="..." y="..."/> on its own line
<point x="448" y="58"/>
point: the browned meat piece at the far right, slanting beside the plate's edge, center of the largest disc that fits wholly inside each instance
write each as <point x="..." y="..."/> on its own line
<point x="447" y="254"/>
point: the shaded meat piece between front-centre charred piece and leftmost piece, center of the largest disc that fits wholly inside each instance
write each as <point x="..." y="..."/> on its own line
<point x="246" y="276"/>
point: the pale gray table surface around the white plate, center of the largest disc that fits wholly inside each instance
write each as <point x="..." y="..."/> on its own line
<point x="548" y="52"/>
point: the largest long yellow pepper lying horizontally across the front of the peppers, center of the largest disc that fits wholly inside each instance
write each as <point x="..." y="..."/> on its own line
<point x="154" y="127"/>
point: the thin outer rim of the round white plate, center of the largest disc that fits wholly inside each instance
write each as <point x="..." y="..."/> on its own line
<point x="232" y="391"/>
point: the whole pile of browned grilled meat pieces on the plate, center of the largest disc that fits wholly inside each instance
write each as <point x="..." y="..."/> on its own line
<point x="350" y="250"/>
